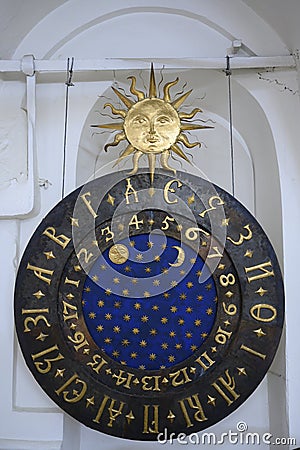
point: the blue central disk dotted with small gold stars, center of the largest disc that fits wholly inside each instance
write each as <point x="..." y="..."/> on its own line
<point x="151" y="311"/>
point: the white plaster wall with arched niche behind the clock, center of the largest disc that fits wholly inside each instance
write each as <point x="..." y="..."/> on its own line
<point x="267" y="178"/>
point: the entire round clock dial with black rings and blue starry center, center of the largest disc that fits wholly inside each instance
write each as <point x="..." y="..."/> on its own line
<point x="149" y="307"/>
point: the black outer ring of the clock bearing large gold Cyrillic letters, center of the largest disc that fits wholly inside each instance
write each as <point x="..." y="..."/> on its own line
<point x="191" y="403"/>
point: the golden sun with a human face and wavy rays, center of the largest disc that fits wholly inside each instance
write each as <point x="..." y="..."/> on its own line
<point x="152" y="125"/>
